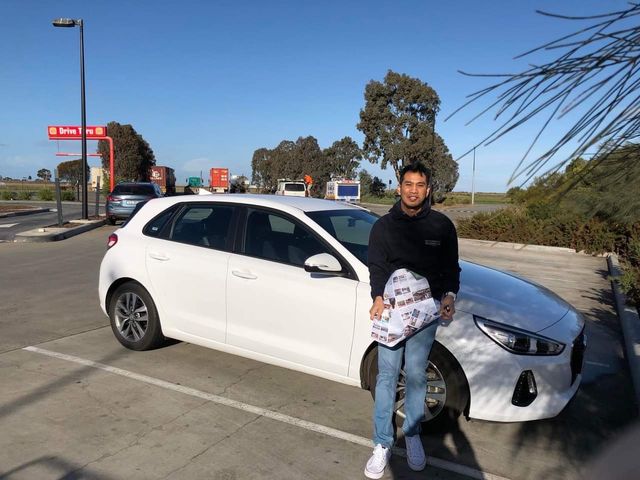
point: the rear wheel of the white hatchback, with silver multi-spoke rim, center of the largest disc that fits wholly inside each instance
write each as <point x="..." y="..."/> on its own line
<point x="134" y="318"/>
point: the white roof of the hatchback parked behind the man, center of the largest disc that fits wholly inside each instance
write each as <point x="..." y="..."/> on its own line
<point x="304" y="204"/>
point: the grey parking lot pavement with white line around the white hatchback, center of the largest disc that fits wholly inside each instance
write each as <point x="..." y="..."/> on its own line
<point x="78" y="405"/>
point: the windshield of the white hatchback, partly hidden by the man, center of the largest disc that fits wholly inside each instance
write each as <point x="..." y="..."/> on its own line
<point x="350" y="227"/>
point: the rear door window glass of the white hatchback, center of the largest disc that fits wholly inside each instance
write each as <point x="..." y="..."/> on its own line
<point x="204" y="226"/>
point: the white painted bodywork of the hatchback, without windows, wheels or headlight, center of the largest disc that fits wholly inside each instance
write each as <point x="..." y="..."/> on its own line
<point x="319" y="324"/>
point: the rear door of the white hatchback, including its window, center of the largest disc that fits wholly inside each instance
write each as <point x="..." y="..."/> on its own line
<point x="188" y="269"/>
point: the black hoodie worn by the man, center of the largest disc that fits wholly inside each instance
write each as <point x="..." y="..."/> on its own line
<point x="425" y="243"/>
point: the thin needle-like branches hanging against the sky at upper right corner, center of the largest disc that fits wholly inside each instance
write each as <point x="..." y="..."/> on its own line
<point x="595" y="74"/>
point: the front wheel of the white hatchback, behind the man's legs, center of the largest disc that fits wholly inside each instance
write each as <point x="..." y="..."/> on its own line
<point x="447" y="389"/>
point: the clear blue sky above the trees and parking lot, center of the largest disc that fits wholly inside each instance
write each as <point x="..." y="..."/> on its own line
<point x="208" y="82"/>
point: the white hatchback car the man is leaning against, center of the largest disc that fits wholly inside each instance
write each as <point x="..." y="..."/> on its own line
<point x="283" y="280"/>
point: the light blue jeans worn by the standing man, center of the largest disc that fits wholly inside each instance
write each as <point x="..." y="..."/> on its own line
<point x="415" y="351"/>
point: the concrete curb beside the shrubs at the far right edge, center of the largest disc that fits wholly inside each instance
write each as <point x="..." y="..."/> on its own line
<point x="630" y="323"/>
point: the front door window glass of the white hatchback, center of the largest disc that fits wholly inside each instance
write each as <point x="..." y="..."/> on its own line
<point x="278" y="238"/>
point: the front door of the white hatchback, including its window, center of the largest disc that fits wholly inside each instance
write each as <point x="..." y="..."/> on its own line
<point x="278" y="309"/>
